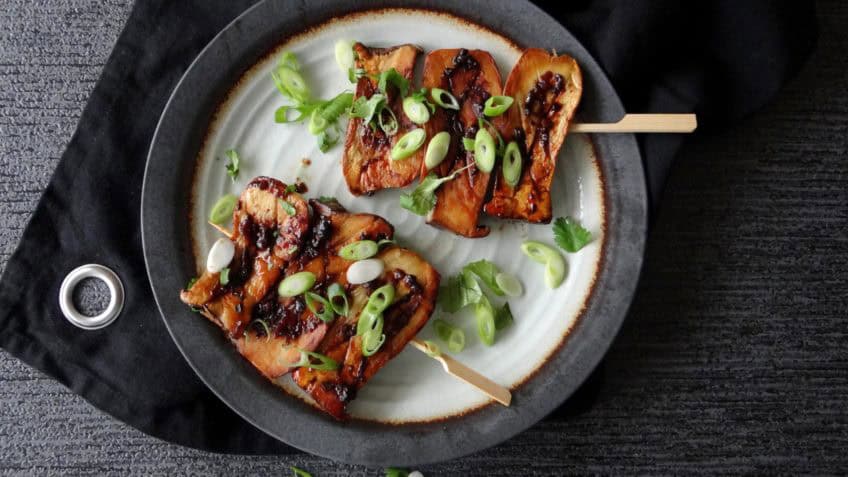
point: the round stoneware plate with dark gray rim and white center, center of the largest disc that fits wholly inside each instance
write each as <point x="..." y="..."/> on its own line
<point x="411" y="413"/>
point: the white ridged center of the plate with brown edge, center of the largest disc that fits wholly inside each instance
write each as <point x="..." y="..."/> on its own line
<point x="411" y="387"/>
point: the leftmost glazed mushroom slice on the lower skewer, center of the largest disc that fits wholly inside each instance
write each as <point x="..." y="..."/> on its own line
<point x="267" y="235"/>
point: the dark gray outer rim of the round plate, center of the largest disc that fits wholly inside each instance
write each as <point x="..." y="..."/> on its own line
<point x="416" y="436"/>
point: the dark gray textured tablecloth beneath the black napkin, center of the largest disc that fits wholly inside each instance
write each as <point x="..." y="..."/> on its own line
<point x="733" y="359"/>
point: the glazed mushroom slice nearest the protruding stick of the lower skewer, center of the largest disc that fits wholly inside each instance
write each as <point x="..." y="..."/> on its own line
<point x="416" y="285"/>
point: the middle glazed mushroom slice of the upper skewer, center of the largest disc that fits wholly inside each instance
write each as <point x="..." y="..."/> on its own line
<point x="471" y="76"/>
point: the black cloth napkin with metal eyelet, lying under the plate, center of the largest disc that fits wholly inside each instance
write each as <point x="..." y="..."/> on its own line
<point x="721" y="59"/>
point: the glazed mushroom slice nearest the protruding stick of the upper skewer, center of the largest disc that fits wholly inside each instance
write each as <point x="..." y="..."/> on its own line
<point x="547" y="90"/>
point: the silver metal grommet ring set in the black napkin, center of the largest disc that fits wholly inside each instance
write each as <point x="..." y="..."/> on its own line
<point x="116" y="296"/>
